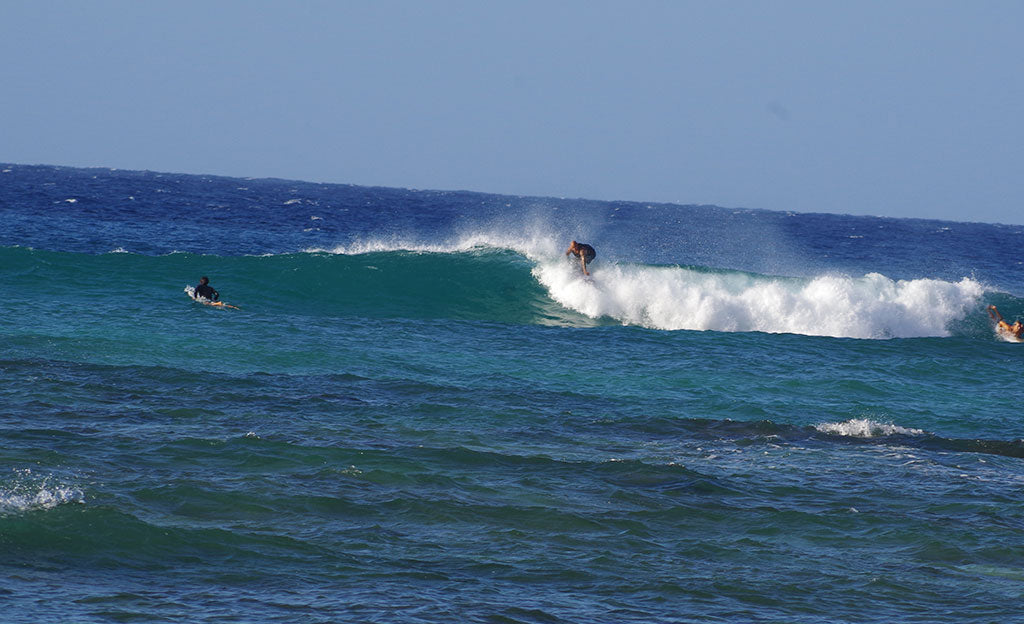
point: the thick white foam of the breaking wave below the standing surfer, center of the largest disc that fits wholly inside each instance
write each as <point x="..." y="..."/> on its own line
<point x="675" y="299"/>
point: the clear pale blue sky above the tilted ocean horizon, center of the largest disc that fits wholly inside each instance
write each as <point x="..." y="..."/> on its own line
<point x="898" y="108"/>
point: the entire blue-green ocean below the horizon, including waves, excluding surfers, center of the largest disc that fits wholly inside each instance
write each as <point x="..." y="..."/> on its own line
<point x="422" y="411"/>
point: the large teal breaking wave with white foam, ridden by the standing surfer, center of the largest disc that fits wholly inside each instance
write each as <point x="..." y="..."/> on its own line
<point x="520" y="286"/>
